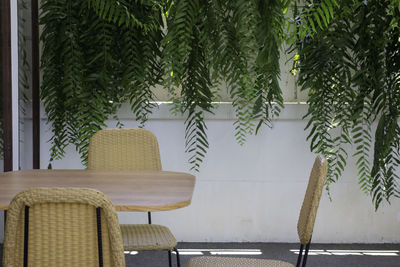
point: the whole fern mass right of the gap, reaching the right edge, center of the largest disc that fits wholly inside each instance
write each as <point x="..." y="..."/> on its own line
<point x="352" y="71"/>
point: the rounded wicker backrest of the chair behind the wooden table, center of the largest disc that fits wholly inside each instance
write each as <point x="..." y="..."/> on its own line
<point x="124" y="149"/>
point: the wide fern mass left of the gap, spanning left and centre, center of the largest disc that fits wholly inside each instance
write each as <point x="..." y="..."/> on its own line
<point x="100" y="53"/>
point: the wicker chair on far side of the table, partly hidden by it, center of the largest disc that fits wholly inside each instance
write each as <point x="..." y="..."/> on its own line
<point x="132" y="149"/>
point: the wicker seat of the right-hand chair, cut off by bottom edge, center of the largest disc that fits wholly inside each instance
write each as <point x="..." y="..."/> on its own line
<point x="234" y="262"/>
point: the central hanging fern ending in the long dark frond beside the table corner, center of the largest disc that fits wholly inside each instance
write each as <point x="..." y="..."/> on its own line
<point x="188" y="69"/>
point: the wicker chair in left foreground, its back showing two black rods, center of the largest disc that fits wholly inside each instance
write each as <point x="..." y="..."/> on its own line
<point x="62" y="227"/>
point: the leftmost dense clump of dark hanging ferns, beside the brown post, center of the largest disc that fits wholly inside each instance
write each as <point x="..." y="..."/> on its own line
<point x="90" y="65"/>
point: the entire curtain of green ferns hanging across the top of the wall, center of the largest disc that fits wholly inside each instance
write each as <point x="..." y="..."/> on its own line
<point x="100" y="53"/>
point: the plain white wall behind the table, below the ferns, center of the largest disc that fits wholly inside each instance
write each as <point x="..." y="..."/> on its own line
<point x="251" y="192"/>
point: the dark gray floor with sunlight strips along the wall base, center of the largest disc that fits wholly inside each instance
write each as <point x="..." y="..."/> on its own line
<point x="330" y="255"/>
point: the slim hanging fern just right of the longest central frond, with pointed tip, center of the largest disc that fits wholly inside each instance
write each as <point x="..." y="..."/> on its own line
<point x="239" y="70"/>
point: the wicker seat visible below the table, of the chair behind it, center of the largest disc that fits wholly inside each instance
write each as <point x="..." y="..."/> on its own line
<point x="147" y="237"/>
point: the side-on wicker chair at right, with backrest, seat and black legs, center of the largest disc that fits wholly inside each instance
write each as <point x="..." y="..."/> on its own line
<point x="305" y="227"/>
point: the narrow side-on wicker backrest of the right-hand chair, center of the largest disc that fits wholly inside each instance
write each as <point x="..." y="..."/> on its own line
<point x="310" y="205"/>
